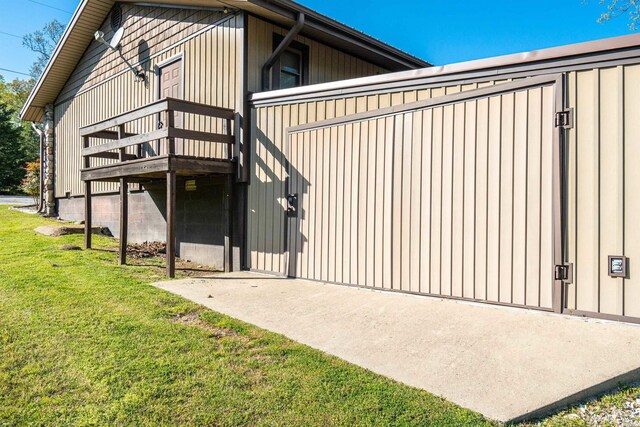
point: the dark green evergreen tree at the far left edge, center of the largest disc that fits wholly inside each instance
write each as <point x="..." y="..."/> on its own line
<point x="12" y="153"/>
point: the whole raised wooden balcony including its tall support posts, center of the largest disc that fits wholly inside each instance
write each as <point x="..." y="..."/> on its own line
<point x="163" y="150"/>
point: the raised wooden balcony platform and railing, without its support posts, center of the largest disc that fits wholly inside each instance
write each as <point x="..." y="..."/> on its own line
<point x="131" y="152"/>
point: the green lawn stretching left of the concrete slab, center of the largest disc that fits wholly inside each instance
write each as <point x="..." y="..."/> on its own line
<point x="86" y="342"/>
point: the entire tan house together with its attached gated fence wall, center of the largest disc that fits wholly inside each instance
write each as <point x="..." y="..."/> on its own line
<point x="309" y="150"/>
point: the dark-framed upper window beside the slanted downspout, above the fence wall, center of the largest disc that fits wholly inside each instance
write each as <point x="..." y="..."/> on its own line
<point x="291" y="68"/>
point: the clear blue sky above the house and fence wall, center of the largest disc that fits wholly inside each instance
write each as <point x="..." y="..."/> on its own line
<point x="441" y="32"/>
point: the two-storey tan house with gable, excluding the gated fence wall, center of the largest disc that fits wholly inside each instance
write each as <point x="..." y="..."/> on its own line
<point x="214" y="54"/>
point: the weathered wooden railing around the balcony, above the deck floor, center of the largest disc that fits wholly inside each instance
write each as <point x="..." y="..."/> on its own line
<point x="120" y="139"/>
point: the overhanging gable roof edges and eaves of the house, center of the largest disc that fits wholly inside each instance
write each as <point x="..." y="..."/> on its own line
<point x="90" y="14"/>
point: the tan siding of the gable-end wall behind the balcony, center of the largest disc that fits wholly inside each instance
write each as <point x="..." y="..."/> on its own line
<point x="101" y="88"/>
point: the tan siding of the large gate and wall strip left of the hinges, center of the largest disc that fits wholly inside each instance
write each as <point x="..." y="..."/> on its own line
<point x="412" y="214"/>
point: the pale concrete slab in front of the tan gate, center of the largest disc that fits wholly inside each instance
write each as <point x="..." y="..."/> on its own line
<point x="505" y="363"/>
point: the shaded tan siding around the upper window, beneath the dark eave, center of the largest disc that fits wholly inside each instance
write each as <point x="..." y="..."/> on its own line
<point x="325" y="63"/>
